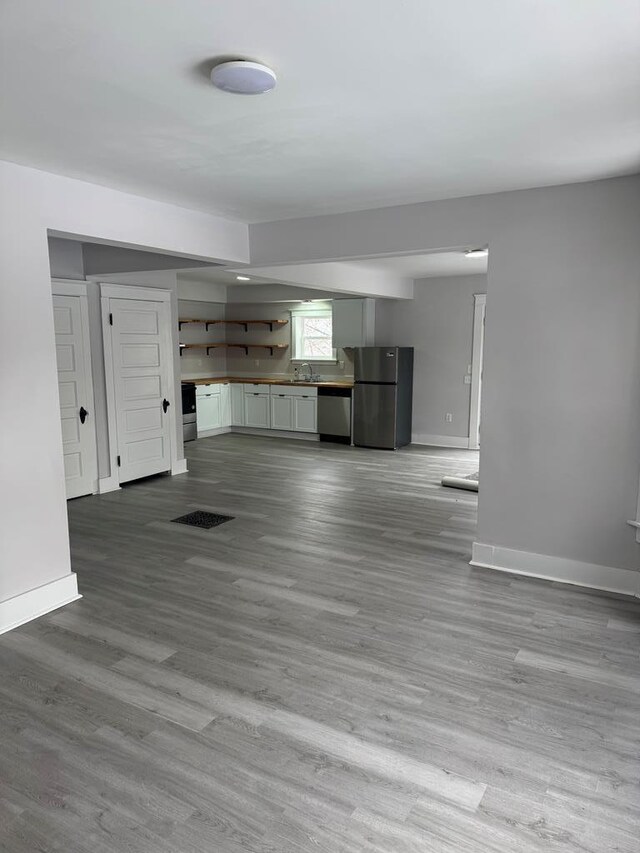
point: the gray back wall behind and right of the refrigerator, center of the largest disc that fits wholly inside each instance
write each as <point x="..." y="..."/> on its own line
<point x="438" y="323"/>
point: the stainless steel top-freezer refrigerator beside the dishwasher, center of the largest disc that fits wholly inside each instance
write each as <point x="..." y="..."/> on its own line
<point x="383" y="393"/>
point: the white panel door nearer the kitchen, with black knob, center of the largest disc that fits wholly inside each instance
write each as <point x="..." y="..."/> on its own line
<point x="141" y="357"/>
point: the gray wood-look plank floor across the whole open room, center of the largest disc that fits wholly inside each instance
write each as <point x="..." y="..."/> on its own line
<point x="324" y="673"/>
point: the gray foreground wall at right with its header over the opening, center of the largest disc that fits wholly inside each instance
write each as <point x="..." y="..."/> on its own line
<point x="561" y="398"/>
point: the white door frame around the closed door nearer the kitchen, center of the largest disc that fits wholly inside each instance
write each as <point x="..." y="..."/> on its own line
<point x="145" y="294"/>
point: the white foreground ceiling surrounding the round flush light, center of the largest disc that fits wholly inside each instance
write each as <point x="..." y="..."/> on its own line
<point x="379" y="101"/>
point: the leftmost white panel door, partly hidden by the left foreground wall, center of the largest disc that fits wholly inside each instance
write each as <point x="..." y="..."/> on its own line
<point x="74" y="387"/>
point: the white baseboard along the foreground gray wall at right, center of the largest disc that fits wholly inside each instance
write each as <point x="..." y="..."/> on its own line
<point x="560" y="569"/>
